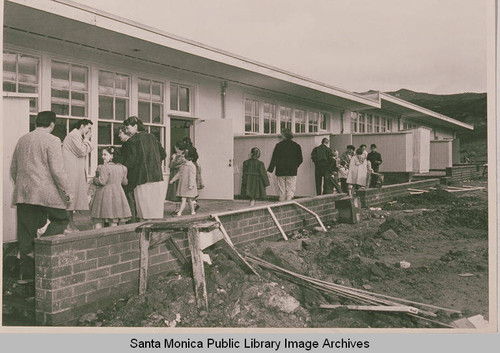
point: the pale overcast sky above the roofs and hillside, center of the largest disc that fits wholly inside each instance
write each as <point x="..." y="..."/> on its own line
<point x="434" y="46"/>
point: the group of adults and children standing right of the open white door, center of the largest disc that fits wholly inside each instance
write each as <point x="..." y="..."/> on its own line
<point x="356" y="168"/>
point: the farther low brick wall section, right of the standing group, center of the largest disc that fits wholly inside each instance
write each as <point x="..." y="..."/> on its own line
<point x="371" y="197"/>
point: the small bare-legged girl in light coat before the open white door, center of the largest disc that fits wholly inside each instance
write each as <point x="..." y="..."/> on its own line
<point x="186" y="188"/>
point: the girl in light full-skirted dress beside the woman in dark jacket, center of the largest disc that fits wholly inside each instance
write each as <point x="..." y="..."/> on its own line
<point x="110" y="203"/>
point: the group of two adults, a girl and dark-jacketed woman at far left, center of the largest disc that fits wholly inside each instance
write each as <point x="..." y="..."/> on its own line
<point x="50" y="182"/>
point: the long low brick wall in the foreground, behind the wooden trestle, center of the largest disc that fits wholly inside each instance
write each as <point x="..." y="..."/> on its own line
<point x="82" y="272"/>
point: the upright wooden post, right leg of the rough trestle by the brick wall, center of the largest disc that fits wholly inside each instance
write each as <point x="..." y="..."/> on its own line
<point x="200" y="287"/>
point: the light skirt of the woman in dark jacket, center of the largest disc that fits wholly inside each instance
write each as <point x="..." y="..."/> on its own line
<point x="149" y="199"/>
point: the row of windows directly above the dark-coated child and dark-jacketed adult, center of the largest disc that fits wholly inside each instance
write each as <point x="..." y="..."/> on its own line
<point x="263" y="117"/>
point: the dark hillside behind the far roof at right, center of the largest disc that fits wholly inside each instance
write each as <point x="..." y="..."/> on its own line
<point x="466" y="107"/>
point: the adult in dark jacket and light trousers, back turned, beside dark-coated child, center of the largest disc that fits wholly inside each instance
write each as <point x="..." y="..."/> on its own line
<point x="287" y="157"/>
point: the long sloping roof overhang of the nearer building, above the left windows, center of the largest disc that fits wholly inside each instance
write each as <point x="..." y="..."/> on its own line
<point x="76" y="24"/>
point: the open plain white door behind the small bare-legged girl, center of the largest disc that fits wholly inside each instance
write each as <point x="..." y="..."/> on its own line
<point x="214" y="142"/>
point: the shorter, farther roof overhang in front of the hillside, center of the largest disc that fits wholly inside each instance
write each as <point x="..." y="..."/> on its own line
<point x="399" y="107"/>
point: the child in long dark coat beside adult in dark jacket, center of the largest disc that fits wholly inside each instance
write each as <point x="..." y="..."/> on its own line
<point x="255" y="178"/>
